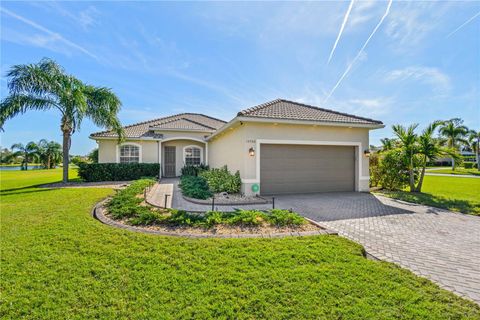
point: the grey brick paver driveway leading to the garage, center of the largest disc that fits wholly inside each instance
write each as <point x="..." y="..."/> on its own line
<point x="440" y="245"/>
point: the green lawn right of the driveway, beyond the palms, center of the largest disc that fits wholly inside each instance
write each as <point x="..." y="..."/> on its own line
<point x="452" y="193"/>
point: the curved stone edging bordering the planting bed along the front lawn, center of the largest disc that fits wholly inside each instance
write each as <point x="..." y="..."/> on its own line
<point x="98" y="209"/>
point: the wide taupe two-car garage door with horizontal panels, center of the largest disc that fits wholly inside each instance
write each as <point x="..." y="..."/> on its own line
<point x="306" y="168"/>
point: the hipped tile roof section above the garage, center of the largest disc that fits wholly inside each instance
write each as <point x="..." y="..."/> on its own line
<point x="289" y="110"/>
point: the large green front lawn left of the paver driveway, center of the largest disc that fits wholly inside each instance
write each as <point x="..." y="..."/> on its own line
<point x="59" y="263"/>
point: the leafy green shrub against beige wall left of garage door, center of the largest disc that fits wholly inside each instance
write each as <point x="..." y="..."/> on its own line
<point x="221" y="180"/>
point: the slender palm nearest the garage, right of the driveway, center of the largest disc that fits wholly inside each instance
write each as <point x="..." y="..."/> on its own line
<point x="407" y="139"/>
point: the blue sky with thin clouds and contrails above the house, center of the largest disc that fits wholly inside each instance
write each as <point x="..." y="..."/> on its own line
<point x="420" y="60"/>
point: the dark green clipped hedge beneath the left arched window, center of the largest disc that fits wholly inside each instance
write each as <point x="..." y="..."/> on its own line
<point x="93" y="172"/>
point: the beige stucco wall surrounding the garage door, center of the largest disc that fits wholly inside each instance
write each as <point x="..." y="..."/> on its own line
<point x="231" y="148"/>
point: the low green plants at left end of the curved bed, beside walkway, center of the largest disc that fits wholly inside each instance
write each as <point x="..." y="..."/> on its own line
<point x="126" y="204"/>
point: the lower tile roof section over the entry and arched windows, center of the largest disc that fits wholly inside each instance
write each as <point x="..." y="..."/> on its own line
<point x="183" y="121"/>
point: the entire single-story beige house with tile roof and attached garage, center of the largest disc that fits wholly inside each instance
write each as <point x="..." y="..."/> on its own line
<point x="279" y="147"/>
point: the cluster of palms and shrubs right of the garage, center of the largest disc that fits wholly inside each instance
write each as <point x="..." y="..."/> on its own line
<point x="402" y="161"/>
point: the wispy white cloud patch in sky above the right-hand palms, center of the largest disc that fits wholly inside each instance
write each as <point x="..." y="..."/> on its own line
<point x="439" y="81"/>
